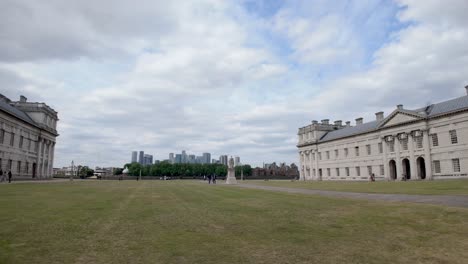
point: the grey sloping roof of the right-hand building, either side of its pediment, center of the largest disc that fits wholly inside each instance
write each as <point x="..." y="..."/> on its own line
<point x="457" y="104"/>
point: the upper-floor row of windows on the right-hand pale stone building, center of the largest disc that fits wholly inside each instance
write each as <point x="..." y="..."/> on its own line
<point x="391" y="144"/>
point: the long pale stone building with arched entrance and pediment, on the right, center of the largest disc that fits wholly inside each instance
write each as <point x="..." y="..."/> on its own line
<point x="426" y="143"/>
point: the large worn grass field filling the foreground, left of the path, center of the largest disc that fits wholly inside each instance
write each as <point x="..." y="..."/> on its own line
<point x="190" y="222"/>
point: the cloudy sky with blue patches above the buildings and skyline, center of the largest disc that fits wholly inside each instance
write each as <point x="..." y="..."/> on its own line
<point x="226" y="77"/>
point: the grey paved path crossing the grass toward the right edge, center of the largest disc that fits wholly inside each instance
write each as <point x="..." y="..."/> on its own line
<point x="447" y="200"/>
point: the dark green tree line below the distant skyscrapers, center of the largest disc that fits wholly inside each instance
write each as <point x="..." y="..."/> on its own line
<point x="183" y="170"/>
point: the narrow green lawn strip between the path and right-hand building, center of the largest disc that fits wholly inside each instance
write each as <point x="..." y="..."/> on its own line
<point x="440" y="187"/>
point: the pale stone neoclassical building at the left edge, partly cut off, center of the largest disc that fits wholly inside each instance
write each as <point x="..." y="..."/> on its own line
<point x="27" y="138"/>
